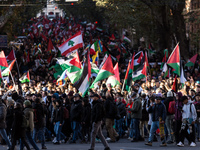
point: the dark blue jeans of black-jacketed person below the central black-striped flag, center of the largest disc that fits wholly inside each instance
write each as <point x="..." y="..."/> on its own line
<point x="76" y="127"/>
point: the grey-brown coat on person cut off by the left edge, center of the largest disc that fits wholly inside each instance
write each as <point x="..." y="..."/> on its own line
<point x="2" y="115"/>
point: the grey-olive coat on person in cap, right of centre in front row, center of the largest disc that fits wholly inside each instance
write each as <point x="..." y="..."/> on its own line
<point x="136" y="110"/>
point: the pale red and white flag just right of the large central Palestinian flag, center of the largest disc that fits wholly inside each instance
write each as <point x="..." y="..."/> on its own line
<point x="115" y="79"/>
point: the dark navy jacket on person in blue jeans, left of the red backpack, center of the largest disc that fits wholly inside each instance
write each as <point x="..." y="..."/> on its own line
<point x="157" y="111"/>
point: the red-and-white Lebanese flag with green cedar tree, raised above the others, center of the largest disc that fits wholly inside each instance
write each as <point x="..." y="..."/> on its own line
<point x="71" y="44"/>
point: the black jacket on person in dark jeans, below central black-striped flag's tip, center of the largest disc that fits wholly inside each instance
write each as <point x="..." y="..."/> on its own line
<point x="76" y="111"/>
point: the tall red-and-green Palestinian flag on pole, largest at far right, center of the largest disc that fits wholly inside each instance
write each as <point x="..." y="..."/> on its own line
<point x="174" y="60"/>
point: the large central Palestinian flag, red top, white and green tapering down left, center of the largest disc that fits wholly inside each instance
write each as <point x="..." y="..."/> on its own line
<point x="105" y="72"/>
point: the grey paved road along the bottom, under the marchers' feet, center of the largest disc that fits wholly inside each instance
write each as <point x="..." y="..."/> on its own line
<point x="122" y="144"/>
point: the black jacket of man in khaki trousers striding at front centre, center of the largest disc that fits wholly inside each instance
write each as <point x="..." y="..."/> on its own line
<point x="97" y="111"/>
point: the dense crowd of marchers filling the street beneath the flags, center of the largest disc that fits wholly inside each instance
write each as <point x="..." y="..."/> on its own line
<point x="41" y="111"/>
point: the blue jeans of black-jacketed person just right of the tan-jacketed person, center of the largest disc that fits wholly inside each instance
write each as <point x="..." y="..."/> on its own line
<point x="41" y="133"/>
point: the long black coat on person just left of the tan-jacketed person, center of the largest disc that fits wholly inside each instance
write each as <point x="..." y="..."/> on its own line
<point x="17" y="130"/>
